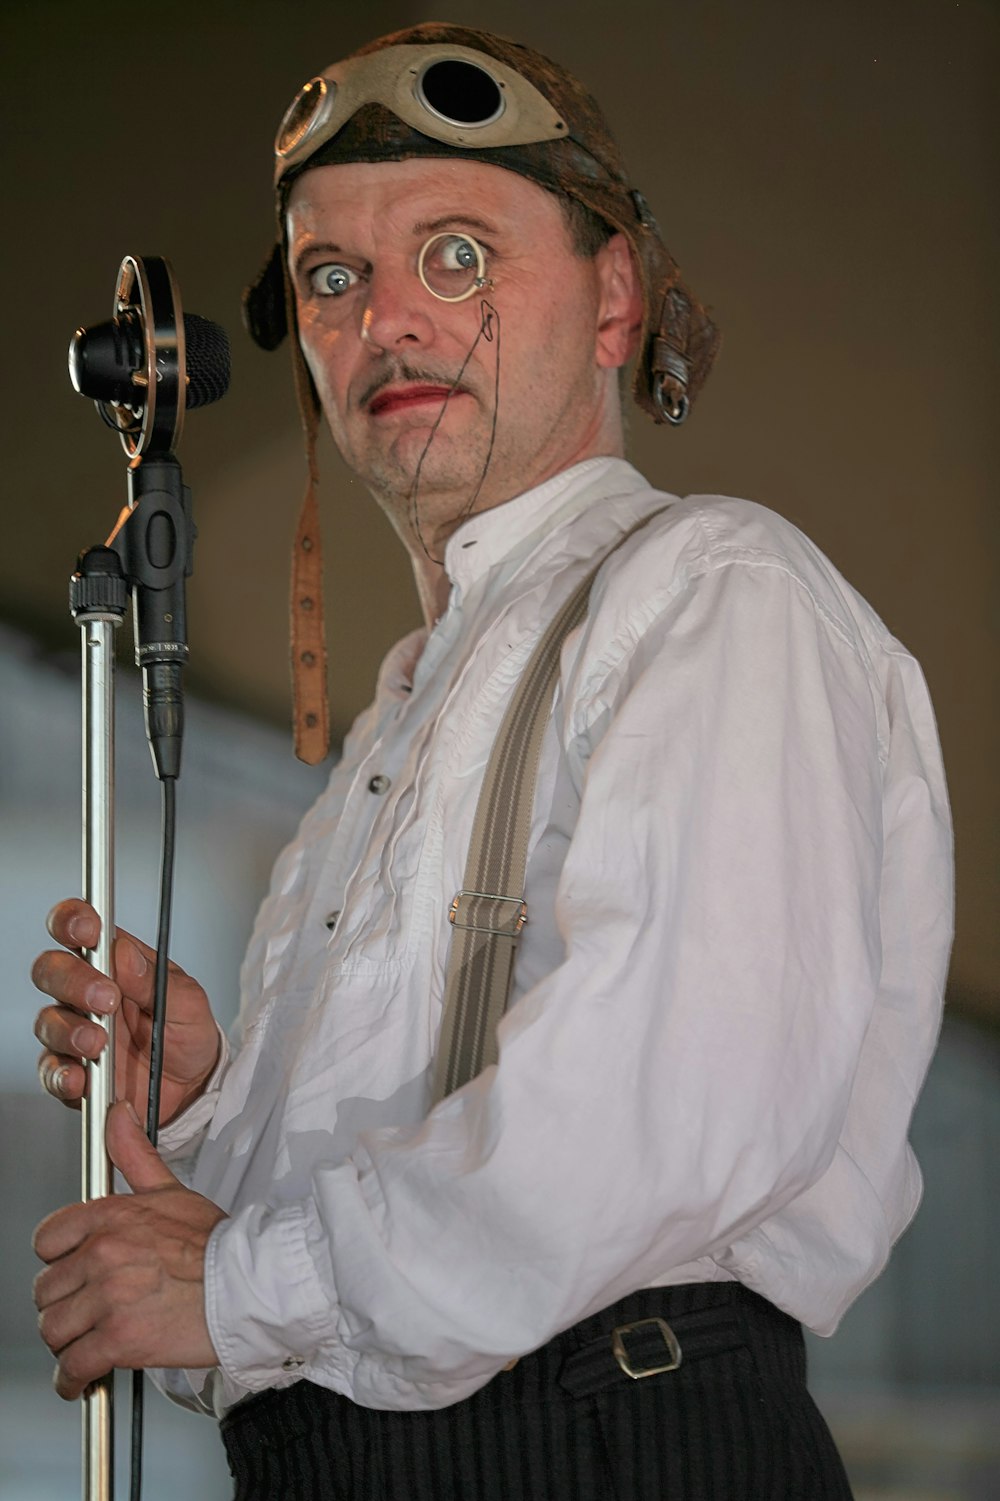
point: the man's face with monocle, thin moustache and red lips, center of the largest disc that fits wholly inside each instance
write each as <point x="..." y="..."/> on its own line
<point x="384" y="352"/>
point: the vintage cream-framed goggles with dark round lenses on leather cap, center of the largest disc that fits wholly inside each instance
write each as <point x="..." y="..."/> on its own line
<point x="451" y="94"/>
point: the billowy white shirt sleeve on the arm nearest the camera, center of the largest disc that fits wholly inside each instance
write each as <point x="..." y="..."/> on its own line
<point x="682" y="1074"/>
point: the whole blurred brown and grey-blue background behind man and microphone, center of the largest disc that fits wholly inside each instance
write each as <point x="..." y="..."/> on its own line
<point x="827" y="176"/>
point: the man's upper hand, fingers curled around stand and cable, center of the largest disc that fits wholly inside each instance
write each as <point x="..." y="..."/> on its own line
<point x="191" y="1042"/>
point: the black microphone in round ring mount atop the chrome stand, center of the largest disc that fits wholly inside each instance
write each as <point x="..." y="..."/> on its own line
<point x="145" y="367"/>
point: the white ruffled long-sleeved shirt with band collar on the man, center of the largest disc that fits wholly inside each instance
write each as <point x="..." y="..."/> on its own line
<point x="726" y="997"/>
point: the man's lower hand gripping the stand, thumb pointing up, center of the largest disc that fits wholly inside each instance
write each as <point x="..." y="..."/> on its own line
<point x="125" y="1278"/>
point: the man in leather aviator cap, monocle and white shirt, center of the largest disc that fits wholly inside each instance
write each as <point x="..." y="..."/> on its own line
<point x="579" y="1271"/>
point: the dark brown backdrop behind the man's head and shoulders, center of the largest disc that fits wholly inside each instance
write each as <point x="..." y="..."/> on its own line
<point x="827" y="176"/>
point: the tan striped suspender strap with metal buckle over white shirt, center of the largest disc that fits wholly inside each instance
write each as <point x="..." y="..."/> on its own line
<point x="490" y="912"/>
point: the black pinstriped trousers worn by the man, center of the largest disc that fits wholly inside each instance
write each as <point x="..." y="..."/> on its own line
<point x="733" y="1424"/>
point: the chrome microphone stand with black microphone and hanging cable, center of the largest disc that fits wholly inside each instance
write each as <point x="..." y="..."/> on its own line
<point x="143" y="368"/>
